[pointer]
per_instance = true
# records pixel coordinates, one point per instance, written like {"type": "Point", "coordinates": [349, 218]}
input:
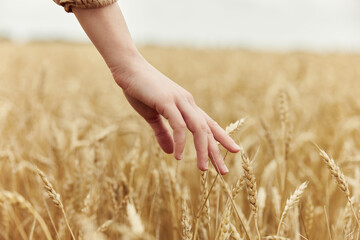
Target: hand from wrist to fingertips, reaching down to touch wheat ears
{"type": "Point", "coordinates": [154, 95]}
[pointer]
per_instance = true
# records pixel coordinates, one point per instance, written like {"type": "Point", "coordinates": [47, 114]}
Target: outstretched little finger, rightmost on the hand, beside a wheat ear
{"type": "Point", "coordinates": [220, 135]}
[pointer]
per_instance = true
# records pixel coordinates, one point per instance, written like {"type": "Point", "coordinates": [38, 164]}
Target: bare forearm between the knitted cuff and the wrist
{"type": "Point", "coordinates": [106, 28]}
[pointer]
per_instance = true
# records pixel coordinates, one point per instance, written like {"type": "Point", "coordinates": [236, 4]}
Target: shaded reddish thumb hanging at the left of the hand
{"type": "Point", "coordinates": [162, 133]}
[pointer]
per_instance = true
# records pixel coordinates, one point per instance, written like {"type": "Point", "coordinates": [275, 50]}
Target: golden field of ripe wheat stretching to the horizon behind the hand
{"type": "Point", "coordinates": [76, 162]}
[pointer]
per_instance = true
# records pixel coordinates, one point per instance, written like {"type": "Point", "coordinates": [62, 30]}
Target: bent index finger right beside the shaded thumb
{"type": "Point", "coordinates": [178, 125]}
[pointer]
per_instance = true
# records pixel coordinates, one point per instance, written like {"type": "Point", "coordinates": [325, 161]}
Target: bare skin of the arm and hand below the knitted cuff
{"type": "Point", "coordinates": [152, 94]}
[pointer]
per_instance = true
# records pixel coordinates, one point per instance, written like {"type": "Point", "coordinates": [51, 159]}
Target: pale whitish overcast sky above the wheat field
{"type": "Point", "coordinates": [317, 25]}
